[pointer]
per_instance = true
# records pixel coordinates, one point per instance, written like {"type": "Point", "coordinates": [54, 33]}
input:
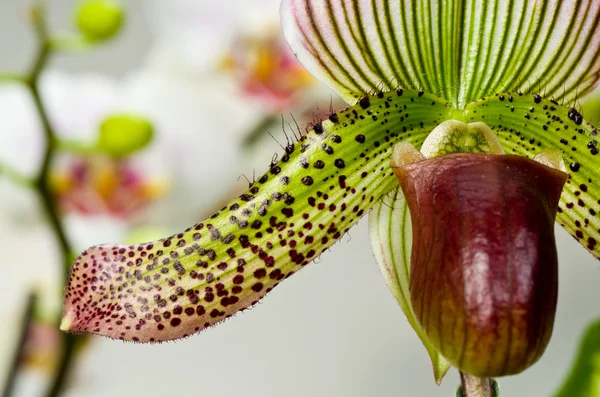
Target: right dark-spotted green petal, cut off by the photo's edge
{"type": "Point", "coordinates": [526, 124]}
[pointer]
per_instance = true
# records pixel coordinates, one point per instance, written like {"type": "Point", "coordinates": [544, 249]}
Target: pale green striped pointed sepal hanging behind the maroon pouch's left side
{"type": "Point", "coordinates": [391, 240]}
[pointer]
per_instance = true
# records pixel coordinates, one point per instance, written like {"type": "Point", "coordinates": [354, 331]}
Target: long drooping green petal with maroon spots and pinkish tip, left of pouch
{"type": "Point", "coordinates": [321, 186]}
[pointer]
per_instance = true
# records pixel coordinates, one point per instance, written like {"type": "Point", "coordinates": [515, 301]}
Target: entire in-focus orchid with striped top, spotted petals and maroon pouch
{"type": "Point", "coordinates": [513, 70]}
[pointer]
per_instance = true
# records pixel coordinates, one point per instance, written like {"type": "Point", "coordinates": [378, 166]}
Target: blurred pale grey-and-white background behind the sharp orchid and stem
{"type": "Point", "coordinates": [208, 81]}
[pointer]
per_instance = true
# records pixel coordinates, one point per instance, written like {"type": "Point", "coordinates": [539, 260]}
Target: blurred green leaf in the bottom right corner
{"type": "Point", "coordinates": [584, 378]}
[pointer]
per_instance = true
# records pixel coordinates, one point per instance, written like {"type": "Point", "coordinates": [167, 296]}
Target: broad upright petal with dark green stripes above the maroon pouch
{"type": "Point", "coordinates": [463, 49]}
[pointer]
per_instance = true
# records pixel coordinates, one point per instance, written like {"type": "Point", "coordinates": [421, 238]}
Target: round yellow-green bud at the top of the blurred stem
{"type": "Point", "coordinates": [99, 20]}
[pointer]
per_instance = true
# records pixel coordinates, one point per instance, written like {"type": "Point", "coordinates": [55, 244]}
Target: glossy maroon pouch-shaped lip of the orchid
{"type": "Point", "coordinates": [484, 265]}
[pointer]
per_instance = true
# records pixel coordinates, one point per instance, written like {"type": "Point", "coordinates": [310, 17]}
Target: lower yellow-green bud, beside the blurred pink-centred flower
{"type": "Point", "coordinates": [121, 135]}
